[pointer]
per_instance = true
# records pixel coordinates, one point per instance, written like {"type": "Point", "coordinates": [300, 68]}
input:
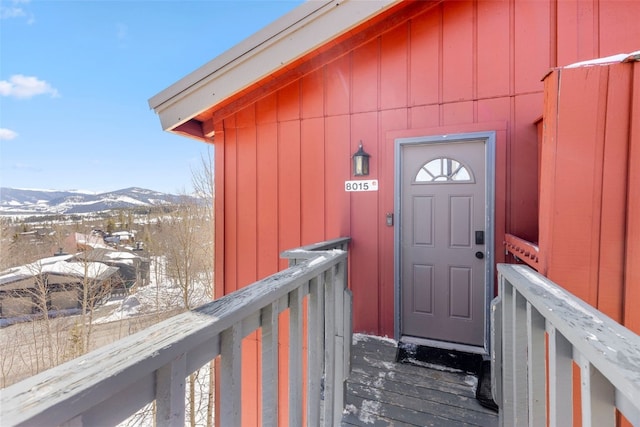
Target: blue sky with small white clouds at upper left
{"type": "Point", "coordinates": [75, 77]}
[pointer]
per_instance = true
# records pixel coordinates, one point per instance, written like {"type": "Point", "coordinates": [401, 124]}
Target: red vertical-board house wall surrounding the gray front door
{"type": "Point", "coordinates": [460, 66]}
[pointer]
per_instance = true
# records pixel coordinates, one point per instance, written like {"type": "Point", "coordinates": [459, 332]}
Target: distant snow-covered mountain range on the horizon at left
{"type": "Point", "coordinates": [15, 201]}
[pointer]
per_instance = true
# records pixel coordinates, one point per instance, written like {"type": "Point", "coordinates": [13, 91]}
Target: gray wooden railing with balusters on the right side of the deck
{"type": "Point", "coordinates": [539, 330]}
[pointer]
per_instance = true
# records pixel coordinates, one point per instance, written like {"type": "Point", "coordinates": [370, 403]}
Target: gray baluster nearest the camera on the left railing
{"type": "Point", "coordinates": [170, 393]}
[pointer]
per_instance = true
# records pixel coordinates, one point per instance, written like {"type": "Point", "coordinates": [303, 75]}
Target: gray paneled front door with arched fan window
{"type": "Point", "coordinates": [443, 213]}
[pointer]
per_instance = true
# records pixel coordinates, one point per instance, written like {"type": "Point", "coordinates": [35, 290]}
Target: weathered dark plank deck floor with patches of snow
{"type": "Point", "coordinates": [381, 392]}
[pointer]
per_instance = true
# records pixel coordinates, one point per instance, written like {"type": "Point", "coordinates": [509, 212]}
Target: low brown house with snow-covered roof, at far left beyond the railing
{"type": "Point", "coordinates": [54, 284]}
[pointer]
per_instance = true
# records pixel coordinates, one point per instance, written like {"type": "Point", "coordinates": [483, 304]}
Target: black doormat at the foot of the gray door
{"type": "Point", "coordinates": [430, 357]}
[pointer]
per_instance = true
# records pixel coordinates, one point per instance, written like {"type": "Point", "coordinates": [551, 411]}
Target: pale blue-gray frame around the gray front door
{"type": "Point", "coordinates": [489, 139]}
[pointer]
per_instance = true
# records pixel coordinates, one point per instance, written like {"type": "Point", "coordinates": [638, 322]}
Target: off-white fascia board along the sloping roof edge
{"type": "Point", "coordinates": [311, 25]}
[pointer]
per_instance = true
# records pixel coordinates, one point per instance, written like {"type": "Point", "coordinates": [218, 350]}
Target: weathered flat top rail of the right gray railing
{"type": "Point", "coordinates": [613, 349]}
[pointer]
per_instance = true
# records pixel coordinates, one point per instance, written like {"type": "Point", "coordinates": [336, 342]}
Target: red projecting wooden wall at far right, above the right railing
{"type": "Point", "coordinates": [589, 218]}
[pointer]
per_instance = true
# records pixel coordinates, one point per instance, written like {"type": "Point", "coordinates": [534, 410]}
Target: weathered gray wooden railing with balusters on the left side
{"type": "Point", "coordinates": [108, 385]}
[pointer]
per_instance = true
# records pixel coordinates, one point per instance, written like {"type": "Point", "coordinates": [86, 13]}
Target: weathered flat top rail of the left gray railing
{"type": "Point", "coordinates": [70, 389]}
